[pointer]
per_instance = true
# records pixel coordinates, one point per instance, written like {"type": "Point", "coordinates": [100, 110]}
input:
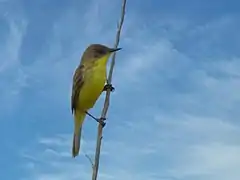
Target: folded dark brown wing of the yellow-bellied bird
{"type": "Point", "coordinates": [78, 80]}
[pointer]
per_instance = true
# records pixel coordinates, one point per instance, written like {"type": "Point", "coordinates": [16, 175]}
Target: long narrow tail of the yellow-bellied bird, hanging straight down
{"type": "Point", "coordinates": [78, 121]}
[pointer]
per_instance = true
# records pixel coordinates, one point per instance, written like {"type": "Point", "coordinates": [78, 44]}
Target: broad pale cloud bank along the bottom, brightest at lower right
{"type": "Point", "coordinates": [142, 145]}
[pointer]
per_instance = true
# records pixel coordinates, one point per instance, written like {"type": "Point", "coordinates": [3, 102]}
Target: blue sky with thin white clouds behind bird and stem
{"type": "Point", "coordinates": [173, 116]}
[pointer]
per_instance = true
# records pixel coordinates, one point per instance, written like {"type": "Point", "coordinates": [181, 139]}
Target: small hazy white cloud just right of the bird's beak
{"type": "Point", "coordinates": [150, 56]}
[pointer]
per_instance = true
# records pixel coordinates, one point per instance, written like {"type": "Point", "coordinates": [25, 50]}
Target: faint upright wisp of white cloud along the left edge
{"type": "Point", "coordinates": [13, 78]}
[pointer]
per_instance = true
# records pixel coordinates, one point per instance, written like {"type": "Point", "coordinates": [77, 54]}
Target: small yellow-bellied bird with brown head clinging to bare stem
{"type": "Point", "coordinates": [88, 83]}
